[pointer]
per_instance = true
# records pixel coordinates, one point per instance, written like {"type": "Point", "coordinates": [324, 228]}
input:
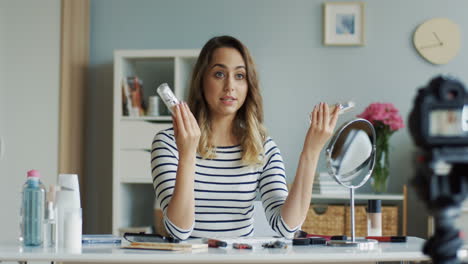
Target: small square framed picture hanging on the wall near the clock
{"type": "Point", "coordinates": [343, 23]}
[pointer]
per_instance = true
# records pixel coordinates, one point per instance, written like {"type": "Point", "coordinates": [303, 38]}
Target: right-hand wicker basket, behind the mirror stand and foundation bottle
{"type": "Point", "coordinates": [389, 221]}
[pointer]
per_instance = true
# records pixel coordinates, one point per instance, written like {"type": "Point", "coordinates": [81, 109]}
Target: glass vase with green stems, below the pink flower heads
{"type": "Point", "coordinates": [379, 179]}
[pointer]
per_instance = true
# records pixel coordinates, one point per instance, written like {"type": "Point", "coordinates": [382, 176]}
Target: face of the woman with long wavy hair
{"type": "Point", "coordinates": [225, 82]}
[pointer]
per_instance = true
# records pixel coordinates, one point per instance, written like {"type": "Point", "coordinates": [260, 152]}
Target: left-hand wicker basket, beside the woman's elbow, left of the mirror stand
{"type": "Point", "coordinates": [325, 220]}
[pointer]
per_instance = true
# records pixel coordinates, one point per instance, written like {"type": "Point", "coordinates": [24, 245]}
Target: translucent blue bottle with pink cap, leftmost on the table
{"type": "Point", "coordinates": [33, 205]}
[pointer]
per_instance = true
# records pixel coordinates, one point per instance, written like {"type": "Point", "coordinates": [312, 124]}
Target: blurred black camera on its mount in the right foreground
{"type": "Point", "coordinates": [438, 124]}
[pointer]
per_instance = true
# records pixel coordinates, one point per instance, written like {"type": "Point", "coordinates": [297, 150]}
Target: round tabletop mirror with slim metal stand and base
{"type": "Point", "coordinates": [350, 161]}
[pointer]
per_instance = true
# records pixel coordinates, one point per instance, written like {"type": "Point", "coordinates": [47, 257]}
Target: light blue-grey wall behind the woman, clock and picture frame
{"type": "Point", "coordinates": [296, 70]}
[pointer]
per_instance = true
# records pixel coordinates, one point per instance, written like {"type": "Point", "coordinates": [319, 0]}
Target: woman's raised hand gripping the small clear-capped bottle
{"type": "Point", "coordinates": [186, 129]}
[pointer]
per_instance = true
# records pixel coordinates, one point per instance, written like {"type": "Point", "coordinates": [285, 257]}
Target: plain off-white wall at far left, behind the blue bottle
{"type": "Point", "coordinates": [29, 99]}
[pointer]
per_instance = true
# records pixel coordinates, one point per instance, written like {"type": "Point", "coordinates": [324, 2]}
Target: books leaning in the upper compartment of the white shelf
{"type": "Point", "coordinates": [132, 97]}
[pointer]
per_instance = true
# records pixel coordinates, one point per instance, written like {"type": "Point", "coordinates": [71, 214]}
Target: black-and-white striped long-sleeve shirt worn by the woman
{"type": "Point", "coordinates": [224, 189]}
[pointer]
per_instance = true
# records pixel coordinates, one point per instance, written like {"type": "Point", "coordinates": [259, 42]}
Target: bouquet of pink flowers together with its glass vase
{"type": "Point", "coordinates": [386, 120]}
